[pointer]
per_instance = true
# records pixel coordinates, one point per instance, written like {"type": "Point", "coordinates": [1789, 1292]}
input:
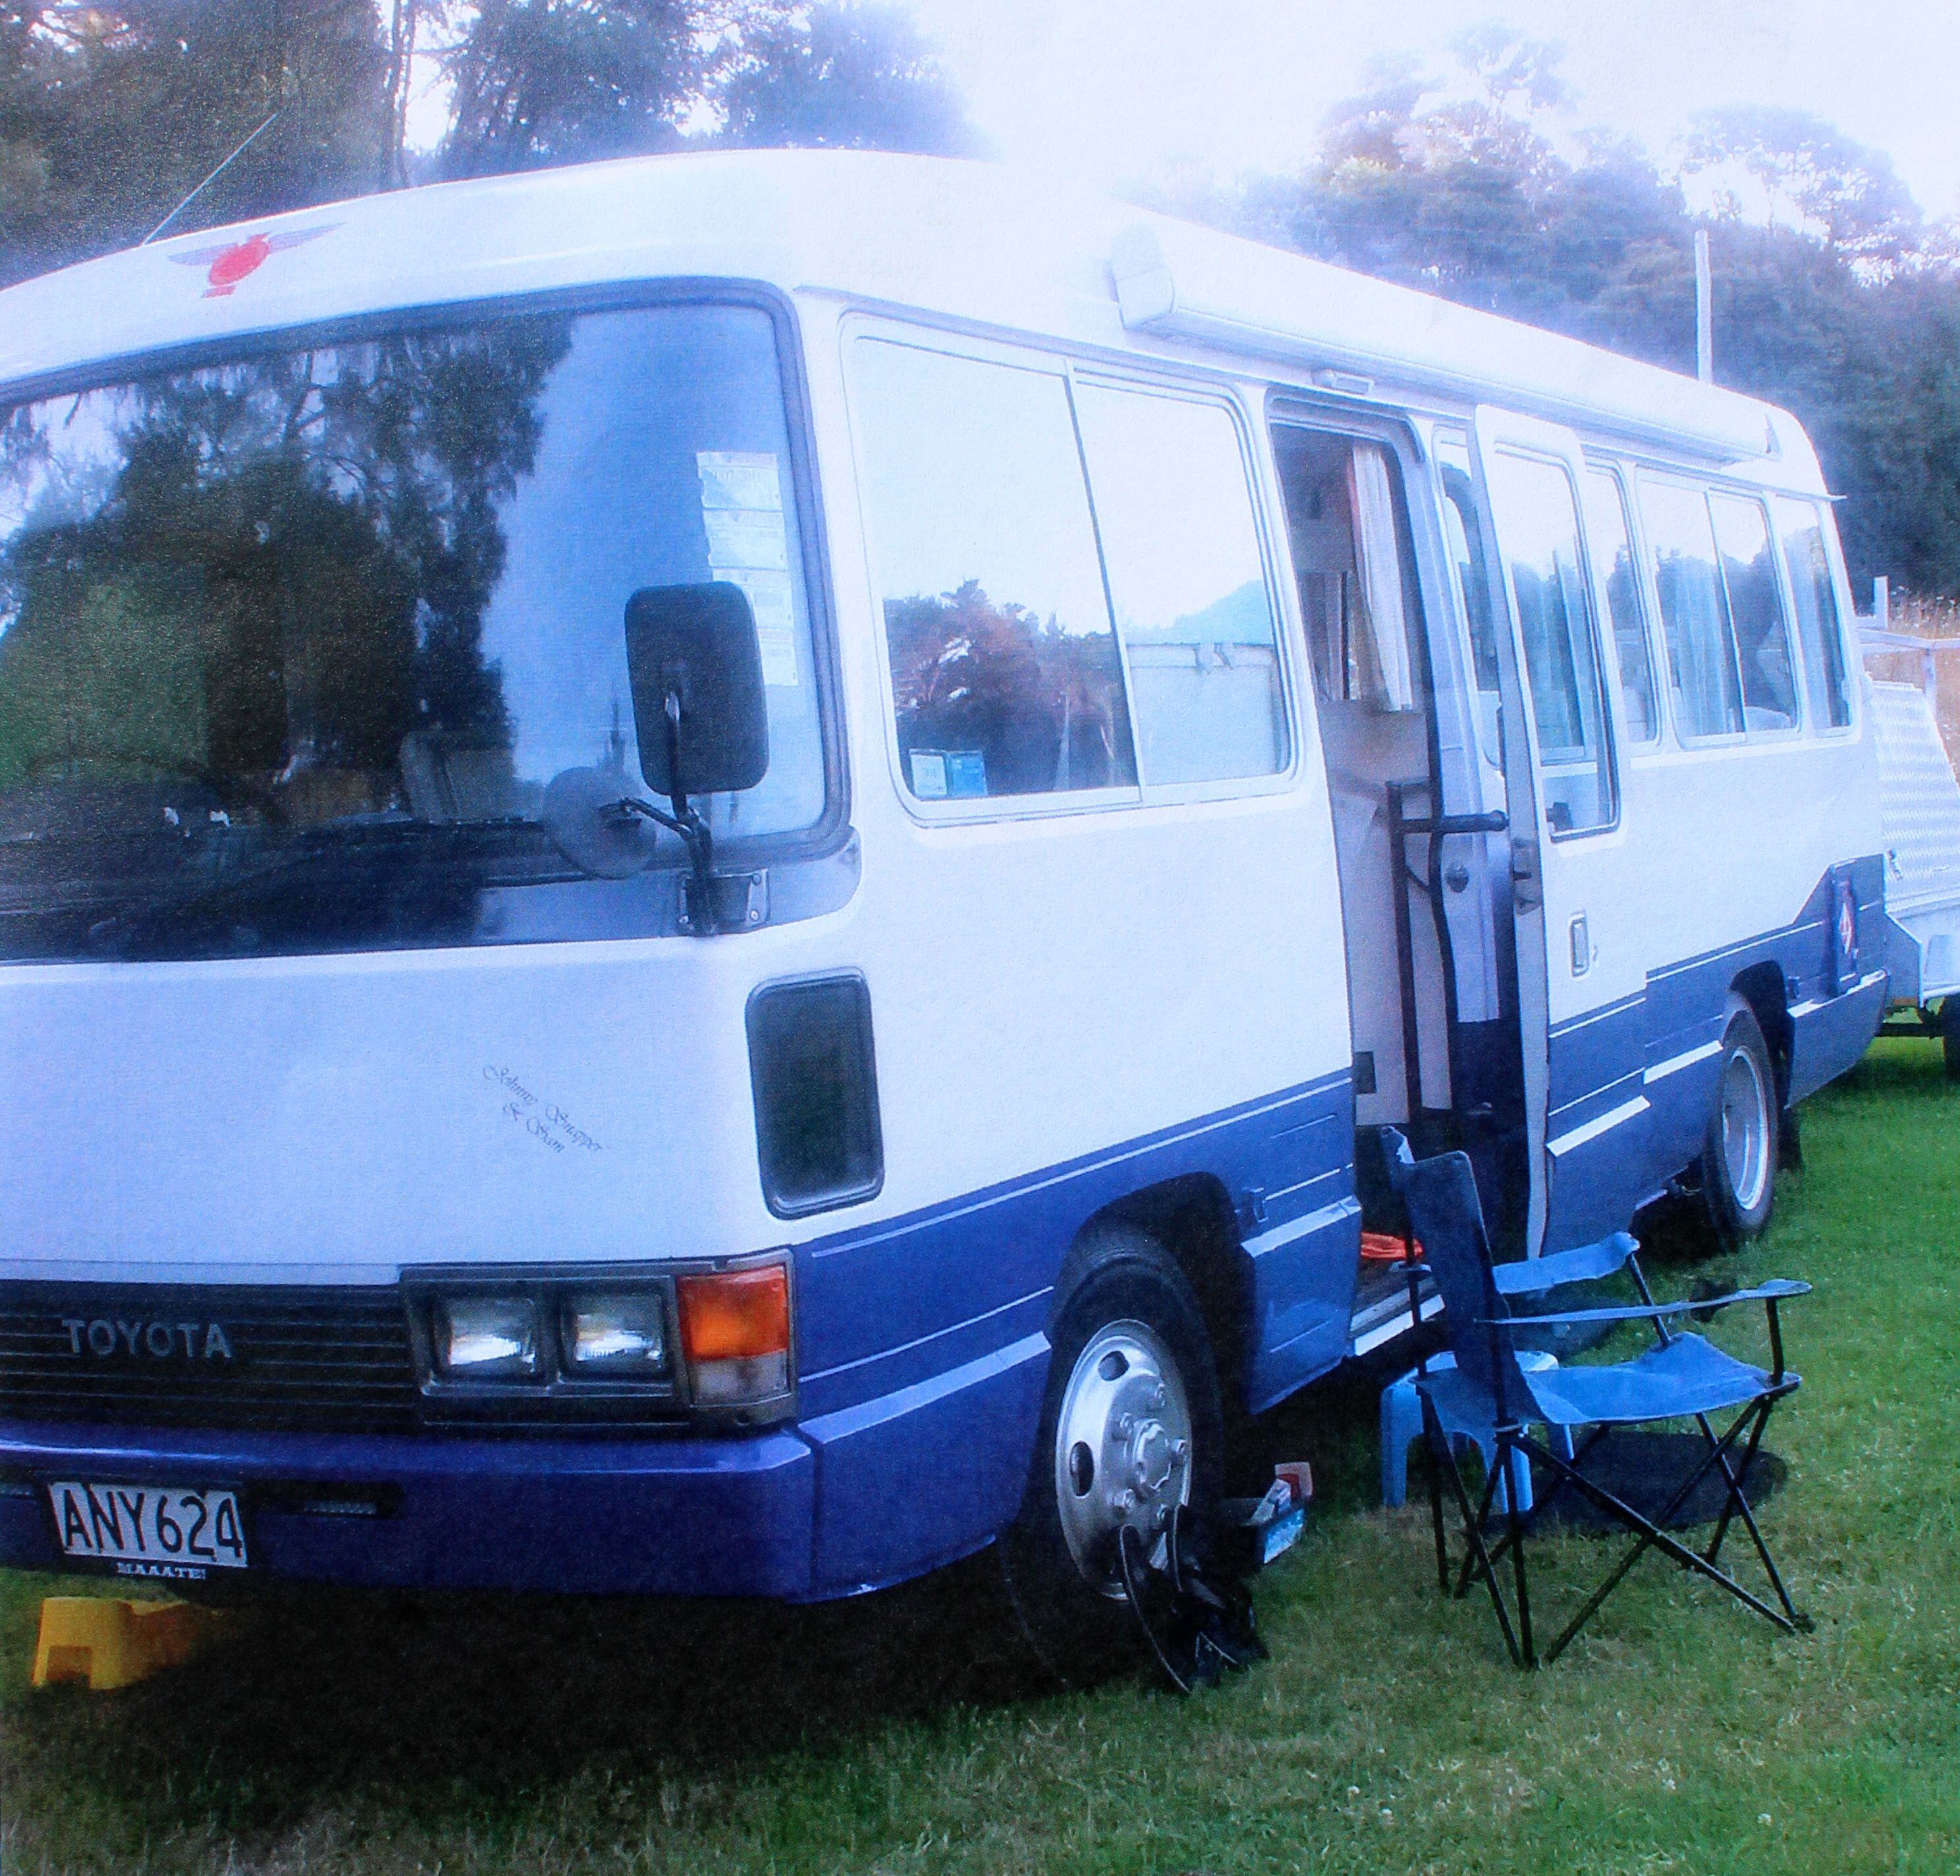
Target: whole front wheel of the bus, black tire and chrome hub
{"type": "Point", "coordinates": [1132, 1428]}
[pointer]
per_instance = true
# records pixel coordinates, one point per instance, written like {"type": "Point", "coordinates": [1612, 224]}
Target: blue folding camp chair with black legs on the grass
{"type": "Point", "coordinates": [1683, 1377]}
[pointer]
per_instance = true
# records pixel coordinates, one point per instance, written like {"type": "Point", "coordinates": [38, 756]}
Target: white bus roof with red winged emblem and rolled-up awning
{"type": "Point", "coordinates": [959, 240]}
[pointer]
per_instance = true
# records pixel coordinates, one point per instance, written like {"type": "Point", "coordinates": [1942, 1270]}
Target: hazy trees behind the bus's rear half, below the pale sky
{"type": "Point", "coordinates": [1849, 315]}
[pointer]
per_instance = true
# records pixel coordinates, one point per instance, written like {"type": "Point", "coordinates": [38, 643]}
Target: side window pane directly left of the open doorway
{"type": "Point", "coordinates": [1187, 583]}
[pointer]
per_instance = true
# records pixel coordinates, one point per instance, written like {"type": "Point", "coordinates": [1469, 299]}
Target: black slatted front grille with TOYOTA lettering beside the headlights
{"type": "Point", "coordinates": [258, 1359]}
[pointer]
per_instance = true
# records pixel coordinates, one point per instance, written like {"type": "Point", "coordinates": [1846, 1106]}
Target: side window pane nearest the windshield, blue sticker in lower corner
{"type": "Point", "coordinates": [1004, 669]}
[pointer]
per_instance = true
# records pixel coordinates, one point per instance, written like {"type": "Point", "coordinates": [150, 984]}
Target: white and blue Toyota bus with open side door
{"type": "Point", "coordinates": [712, 869]}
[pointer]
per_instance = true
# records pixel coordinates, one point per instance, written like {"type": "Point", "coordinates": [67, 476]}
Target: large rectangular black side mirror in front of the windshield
{"type": "Point", "coordinates": [695, 666]}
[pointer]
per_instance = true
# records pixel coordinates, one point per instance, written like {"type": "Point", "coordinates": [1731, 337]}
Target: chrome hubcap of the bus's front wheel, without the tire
{"type": "Point", "coordinates": [1122, 1448]}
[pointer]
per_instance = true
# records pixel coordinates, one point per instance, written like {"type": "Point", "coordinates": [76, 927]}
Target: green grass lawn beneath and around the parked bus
{"type": "Point", "coordinates": [1387, 1734]}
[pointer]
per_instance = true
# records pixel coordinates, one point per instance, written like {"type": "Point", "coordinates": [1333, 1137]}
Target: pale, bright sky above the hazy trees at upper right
{"type": "Point", "coordinates": [1112, 91]}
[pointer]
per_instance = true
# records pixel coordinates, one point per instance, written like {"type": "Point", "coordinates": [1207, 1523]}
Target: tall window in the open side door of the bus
{"type": "Point", "coordinates": [1540, 536]}
